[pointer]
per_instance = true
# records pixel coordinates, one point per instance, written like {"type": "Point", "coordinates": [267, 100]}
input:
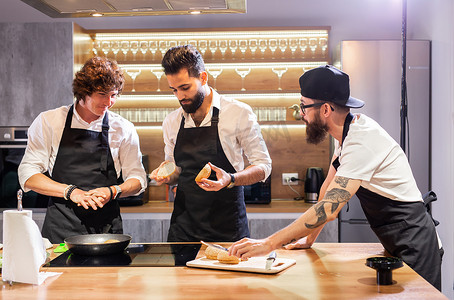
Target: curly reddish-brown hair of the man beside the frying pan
{"type": "Point", "coordinates": [99, 74]}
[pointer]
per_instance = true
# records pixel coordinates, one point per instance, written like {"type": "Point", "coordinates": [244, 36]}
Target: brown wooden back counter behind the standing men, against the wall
{"type": "Point", "coordinates": [276, 206]}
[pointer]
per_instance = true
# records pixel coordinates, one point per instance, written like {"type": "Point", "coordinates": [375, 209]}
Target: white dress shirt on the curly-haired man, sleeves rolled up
{"type": "Point", "coordinates": [44, 137]}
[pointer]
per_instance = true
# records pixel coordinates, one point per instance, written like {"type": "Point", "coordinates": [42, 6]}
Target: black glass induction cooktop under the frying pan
{"type": "Point", "coordinates": [135, 255]}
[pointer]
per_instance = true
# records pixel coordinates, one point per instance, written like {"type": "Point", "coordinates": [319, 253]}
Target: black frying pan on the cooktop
{"type": "Point", "coordinates": [94, 244]}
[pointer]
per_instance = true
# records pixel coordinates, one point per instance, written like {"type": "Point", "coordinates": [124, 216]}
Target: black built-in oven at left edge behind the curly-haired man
{"type": "Point", "coordinates": [13, 141]}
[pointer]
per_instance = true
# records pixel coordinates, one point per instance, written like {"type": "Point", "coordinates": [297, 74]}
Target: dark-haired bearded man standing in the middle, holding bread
{"type": "Point", "coordinates": [209, 128]}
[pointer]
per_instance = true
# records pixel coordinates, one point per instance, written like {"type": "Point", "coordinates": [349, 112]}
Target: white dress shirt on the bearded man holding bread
{"type": "Point", "coordinates": [238, 129]}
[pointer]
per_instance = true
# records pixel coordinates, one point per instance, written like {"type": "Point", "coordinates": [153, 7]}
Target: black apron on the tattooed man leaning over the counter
{"type": "Point", "coordinates": [405, 229]}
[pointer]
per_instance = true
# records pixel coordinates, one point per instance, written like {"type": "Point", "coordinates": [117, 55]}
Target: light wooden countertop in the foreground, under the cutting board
{"type": "Point", "coordinates": [326, 271]}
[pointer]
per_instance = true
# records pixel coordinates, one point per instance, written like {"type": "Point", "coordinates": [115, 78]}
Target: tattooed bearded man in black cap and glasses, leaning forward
{"type": "Point", "coordinates": [366, 162]}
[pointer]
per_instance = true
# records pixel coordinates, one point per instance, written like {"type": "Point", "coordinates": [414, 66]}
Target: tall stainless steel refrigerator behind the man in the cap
{"type": "Point", "coordinates": [375, 74]}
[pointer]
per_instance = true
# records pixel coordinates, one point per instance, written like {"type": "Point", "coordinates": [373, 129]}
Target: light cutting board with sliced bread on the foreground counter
{"type": "Point", "coordinates": [253, 264]}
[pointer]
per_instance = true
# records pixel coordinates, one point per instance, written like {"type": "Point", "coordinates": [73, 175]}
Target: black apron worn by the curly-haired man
{"type": "Point", "coordinates": [83, 159]}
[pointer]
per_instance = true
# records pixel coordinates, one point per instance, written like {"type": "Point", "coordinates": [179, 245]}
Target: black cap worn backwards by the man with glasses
{"type": "Point", "coordinates": [328, 84]}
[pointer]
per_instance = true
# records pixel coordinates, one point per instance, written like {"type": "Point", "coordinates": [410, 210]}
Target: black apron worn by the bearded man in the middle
{"type": "Point", "coordinates": [198, 214]}
